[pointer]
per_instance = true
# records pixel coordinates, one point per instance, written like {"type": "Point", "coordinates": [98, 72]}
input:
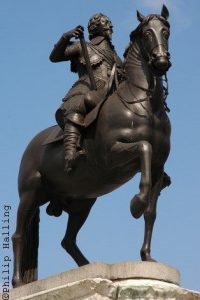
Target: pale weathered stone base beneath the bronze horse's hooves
{"type": "Point", "coordinates": [98, 281]}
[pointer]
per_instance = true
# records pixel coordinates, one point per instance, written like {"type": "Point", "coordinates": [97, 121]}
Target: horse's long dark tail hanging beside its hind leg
{"type": "Point", "coordinates": [30, 251]}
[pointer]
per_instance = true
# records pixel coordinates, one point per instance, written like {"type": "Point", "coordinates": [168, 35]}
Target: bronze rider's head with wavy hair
{"type": "Point", "coordinates": [100, 24]}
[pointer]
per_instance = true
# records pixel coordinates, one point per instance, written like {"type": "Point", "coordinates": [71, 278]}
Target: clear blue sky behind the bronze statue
{"type": "Point", "coordinates": [31, 90]}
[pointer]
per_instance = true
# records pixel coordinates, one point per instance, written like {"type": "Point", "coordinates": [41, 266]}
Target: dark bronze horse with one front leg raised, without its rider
{"type": "Point", "coordinates": [130, 135]}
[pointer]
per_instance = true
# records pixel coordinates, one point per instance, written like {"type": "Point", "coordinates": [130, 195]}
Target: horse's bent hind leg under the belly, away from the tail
{"type": "Point", "coordinates": [75, 222]}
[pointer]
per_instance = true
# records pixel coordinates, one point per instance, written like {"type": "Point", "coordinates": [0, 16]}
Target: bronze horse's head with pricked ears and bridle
{"type": "Point", "coordinates": [153, 33]}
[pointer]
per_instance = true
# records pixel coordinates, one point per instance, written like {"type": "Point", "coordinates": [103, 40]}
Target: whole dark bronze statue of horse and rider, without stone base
{"type": "Point", "coordinates": [113, 123]}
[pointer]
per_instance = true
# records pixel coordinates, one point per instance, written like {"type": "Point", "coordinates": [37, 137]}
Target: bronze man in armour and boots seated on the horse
{"type": "Point", "coordinates": [80, 99]}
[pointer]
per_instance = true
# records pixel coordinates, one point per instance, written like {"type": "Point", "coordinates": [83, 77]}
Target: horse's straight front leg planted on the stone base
{"type": "Point", "coordinates": [159, 182]}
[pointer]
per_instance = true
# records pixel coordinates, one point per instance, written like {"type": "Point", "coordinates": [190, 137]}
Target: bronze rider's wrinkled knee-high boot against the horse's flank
{"type": "Point", "coordinates": [71, 138]}
